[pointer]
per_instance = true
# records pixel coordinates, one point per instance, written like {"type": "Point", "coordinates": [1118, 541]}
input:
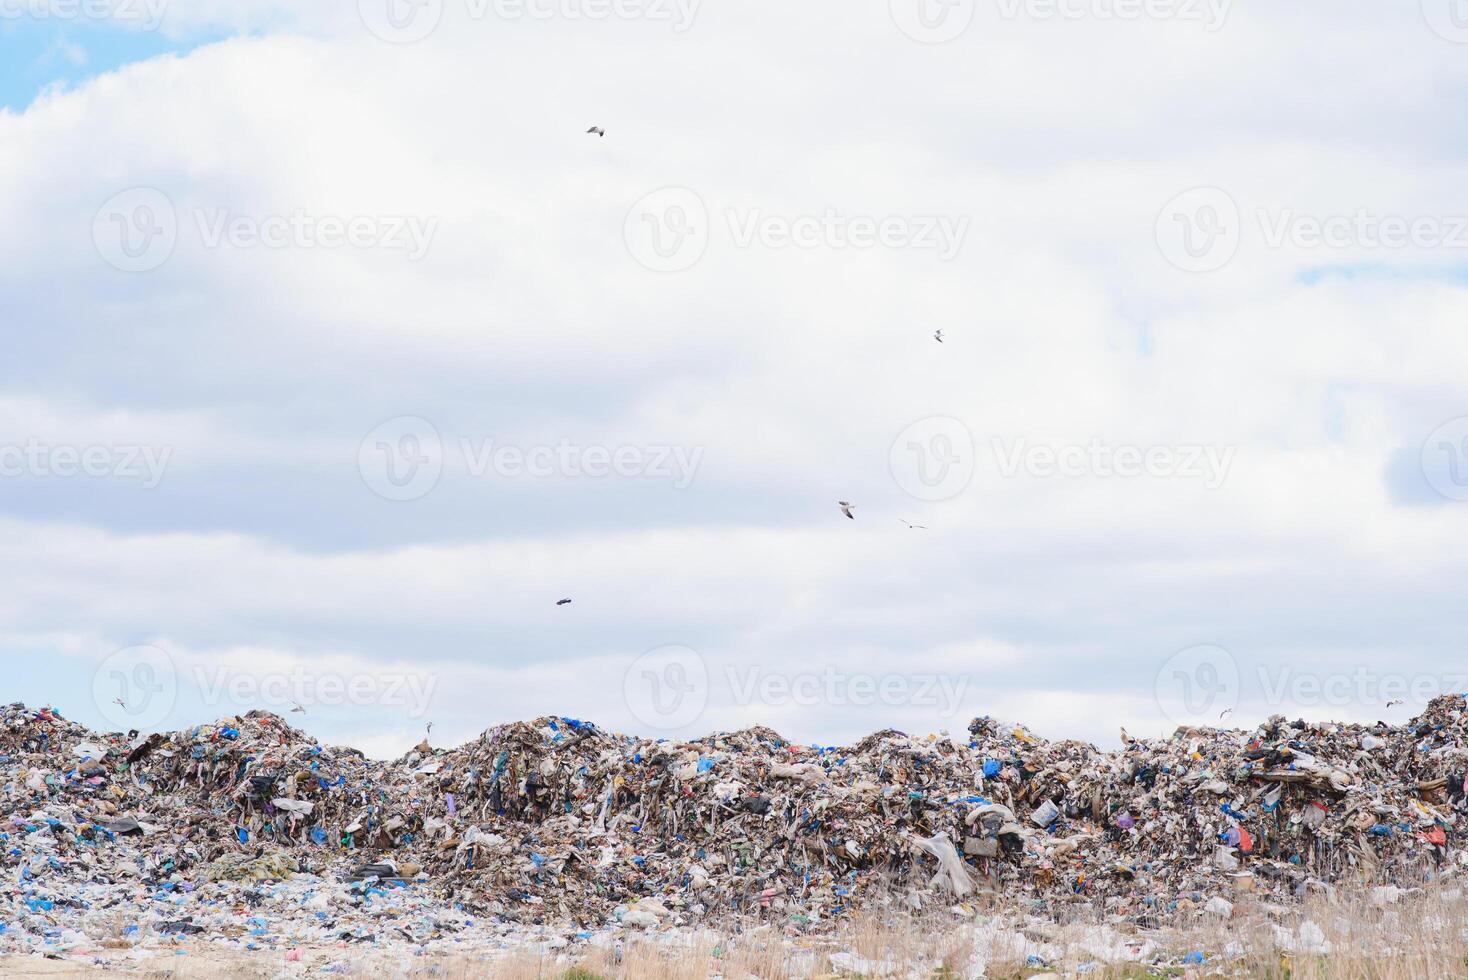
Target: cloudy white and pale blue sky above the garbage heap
{"type": "Point", "coordinates": [337, 351]}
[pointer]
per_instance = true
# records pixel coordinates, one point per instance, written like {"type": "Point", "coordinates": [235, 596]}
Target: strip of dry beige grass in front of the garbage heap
{"type": "Point", "coordinates": [1423, 937]}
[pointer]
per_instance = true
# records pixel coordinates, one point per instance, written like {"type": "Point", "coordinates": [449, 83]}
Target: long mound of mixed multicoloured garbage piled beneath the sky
{"type": "Point", "coordinates": [560, 822]}
